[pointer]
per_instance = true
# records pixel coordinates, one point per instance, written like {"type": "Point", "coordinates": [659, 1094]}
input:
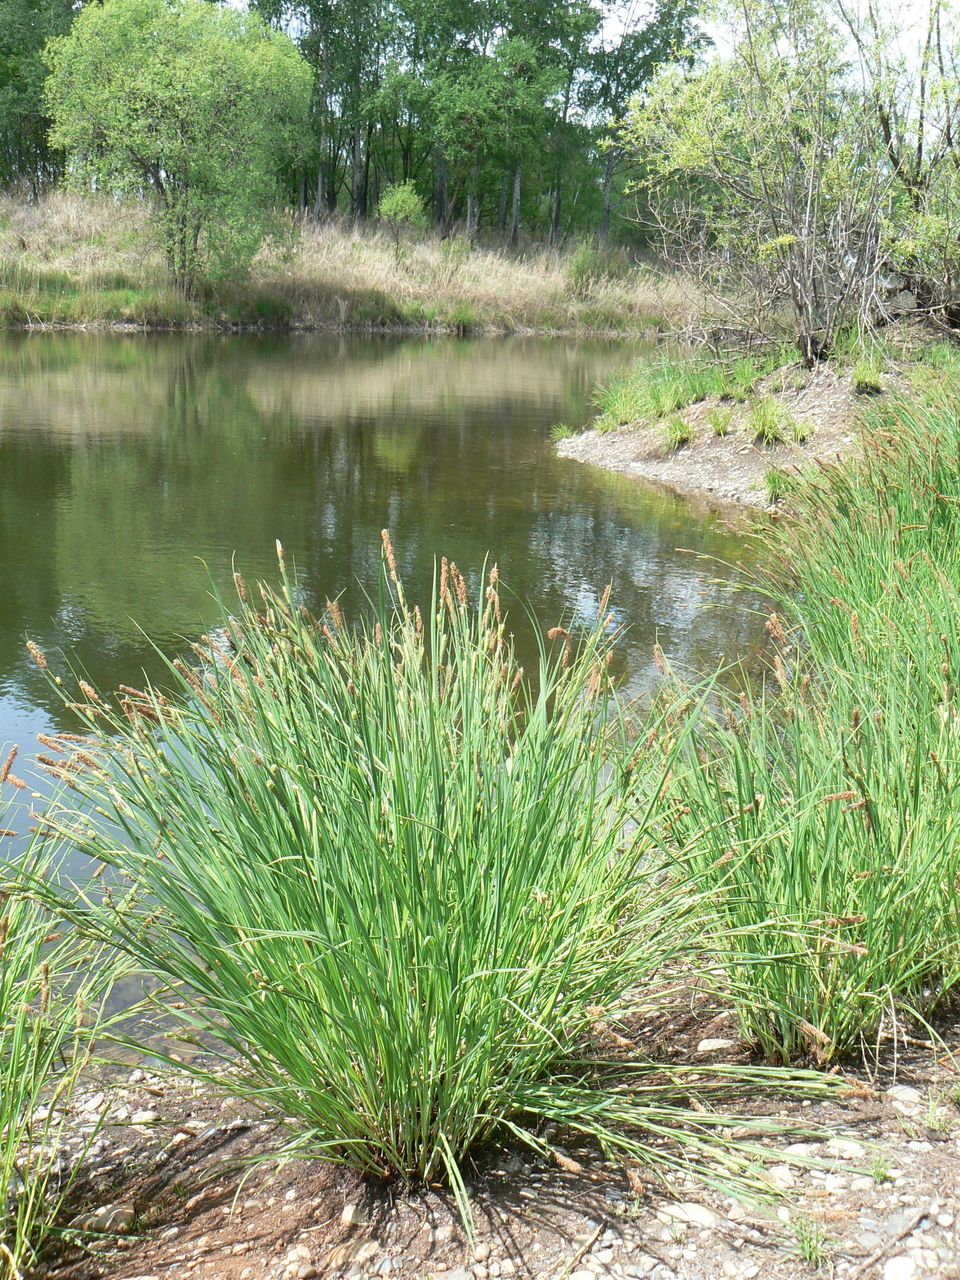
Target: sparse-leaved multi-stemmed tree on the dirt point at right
{"type": "Point", "coordinates": [765, 176]}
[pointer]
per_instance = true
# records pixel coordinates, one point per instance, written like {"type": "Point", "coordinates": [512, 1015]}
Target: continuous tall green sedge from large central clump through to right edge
{"type": "Point", "coordinates": [353, 865]}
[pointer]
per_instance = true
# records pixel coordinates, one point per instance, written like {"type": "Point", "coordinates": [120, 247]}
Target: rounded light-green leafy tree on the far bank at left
{"type": "Point", "coordinates": [195, 106]}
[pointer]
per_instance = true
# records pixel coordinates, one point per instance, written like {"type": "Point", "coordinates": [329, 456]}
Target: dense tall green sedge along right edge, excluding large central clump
{"type": "Point", "coordinates": [820, 816]}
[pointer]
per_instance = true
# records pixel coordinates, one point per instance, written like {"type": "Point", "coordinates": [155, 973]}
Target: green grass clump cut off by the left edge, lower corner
{"type": "Point", "coordinates": [51, 989]}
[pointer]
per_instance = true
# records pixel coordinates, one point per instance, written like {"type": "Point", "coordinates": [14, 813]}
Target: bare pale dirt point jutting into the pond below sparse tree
{"type": "Point", "coordinates": [733, 469]}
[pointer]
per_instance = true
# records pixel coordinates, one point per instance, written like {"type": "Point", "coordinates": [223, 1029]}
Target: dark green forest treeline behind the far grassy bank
{"type": "Point", "coordinates": [501, 113]}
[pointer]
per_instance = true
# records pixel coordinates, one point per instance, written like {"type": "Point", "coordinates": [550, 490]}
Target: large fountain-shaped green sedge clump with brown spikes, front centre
{"type": "Point", "coordinates": [355, 857]}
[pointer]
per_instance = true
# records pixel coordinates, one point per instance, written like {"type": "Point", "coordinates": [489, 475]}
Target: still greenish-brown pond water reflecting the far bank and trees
{"type": "Point", "coordinates": [134, 472]}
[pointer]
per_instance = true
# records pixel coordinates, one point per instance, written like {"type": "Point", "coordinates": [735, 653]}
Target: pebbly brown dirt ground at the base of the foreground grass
{"type": "Point", "coordinates": [872, 1194]}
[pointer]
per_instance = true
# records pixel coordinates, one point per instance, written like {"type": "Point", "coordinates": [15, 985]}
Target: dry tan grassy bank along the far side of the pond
{"type": "Point", "coordinates": [84, 262]}
